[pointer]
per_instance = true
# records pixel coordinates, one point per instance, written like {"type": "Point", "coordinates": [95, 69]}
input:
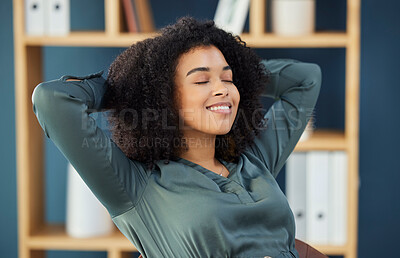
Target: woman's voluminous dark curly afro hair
{"type": "Point", "coordinates": [141, 92]}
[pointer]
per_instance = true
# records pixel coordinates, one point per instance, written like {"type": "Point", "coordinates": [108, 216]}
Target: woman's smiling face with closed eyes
{"type": "Point", "coordinates": [207, 98]}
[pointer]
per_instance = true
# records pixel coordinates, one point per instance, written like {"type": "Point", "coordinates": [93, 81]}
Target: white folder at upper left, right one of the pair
{"type": "Point", "coordinates": [58, 18]}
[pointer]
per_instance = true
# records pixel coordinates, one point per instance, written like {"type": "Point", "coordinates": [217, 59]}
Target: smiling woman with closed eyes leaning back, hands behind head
{"type": "Point", "coordinates": [190, 170]}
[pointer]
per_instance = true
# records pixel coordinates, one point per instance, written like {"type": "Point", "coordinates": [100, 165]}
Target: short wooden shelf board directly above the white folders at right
{"type": "Point", "coordinates": [323, 140]}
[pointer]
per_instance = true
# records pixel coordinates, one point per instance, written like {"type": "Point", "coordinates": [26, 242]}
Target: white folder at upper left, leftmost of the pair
{"type": "Point", "coordinates": [34, 17]}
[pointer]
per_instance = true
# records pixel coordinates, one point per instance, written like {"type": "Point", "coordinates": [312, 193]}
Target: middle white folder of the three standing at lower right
{"type": "Point", "coordinates": [317, 197]}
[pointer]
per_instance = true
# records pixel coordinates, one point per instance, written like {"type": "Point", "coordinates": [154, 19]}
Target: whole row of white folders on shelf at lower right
{"type": "Point", "coordinates": [316, 188]}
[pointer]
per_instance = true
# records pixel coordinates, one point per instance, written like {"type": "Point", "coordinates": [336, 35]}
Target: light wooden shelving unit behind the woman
{"type": "Point", "coordinates": [36, 235]}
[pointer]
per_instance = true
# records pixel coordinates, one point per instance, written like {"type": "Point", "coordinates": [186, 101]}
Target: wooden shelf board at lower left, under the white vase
{"type": "Point", "coordinates": [55, 237]}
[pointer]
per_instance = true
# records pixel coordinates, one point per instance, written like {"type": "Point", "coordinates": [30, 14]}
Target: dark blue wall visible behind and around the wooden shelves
{"type": "Point", "coordinates": [379, 208]}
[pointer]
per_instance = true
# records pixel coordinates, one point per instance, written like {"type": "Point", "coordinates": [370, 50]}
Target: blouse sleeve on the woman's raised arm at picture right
{"type": "Point", "coordinates": [295, 87]}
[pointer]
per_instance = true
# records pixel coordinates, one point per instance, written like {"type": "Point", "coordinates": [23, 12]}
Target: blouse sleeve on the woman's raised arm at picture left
{"type": "Point", "coordinates": [62, 108]}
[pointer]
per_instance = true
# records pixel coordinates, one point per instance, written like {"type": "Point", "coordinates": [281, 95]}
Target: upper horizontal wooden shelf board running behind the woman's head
{"type": "Point", "coordinates": [102, 39]}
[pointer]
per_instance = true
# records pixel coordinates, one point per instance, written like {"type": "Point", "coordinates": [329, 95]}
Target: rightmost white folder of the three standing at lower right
{"type": "Point", "coordinates": [338, 198]}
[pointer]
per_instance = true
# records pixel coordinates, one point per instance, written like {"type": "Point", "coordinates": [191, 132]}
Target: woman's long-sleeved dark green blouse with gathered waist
{"type": "Point", "coordinates": [179, 208]}
